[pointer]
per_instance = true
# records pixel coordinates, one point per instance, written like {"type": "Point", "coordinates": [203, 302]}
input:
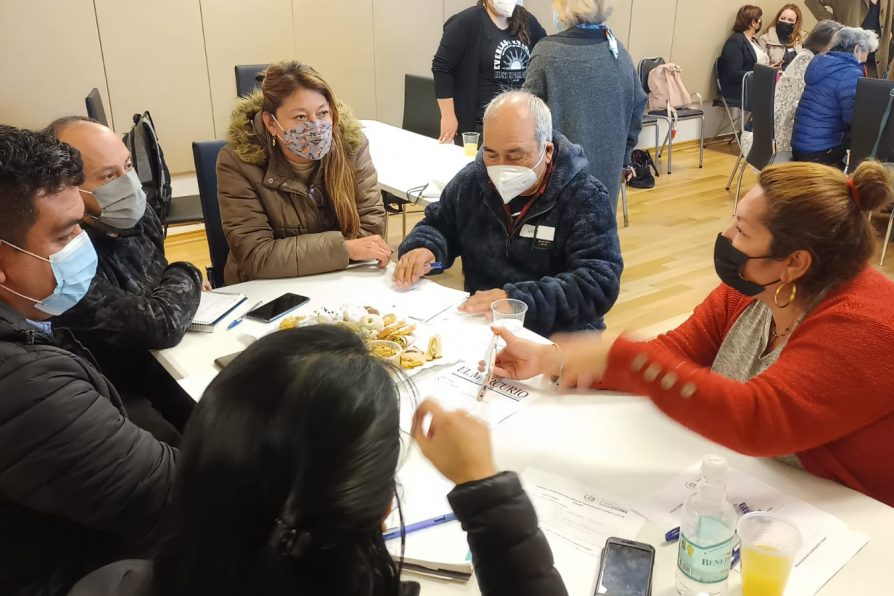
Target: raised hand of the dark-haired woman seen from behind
{"type": "Point", "coordinates": [457, 444]}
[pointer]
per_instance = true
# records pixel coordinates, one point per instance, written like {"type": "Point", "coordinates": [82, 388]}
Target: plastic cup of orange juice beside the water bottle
{"type": "Point", "coordinates": [769, 545]}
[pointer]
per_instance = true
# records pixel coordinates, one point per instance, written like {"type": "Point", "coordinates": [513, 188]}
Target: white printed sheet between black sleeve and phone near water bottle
{"type": "Point", "coordinates": [577, 520]}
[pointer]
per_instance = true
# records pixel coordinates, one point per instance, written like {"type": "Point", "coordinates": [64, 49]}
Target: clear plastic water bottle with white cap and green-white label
{"type": "Point", "coordinates": [707, 530]}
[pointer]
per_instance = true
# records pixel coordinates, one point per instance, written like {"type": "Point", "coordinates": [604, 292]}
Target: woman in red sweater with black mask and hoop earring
{"type": "Point", "coordinates": [792, 356]}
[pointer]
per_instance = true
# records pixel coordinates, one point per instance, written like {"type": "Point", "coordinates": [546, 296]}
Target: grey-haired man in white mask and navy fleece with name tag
{"type": "Point", "coordinates": [528, 222]}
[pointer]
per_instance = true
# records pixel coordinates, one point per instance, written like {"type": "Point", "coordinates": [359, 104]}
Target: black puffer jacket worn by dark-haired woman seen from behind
{"type": "Point", "coordinates": [511, 555]}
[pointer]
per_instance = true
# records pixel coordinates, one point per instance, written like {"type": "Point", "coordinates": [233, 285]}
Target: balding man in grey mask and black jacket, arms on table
{"type": "Point", "coordinates": [137, 302]}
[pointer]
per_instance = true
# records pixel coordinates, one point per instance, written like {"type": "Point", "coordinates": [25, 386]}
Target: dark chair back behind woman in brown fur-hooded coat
{"type": "Point", "coordinates": [205, 155]}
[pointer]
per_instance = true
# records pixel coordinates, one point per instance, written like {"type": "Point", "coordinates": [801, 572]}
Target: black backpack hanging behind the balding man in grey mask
{"type": "Point", "coordinates": [149, 162]}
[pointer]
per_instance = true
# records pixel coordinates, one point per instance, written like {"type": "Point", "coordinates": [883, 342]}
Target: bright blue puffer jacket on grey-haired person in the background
{"type": "Point", "coordinates": [823, 118]}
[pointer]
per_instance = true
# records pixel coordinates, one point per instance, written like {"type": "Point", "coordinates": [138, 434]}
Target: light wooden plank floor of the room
{"type": "Point", "coordinates": [668, 248]}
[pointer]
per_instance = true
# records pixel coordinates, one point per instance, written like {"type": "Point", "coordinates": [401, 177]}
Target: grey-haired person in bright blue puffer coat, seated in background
{"type": "Point", "coordinates": [823, 120]}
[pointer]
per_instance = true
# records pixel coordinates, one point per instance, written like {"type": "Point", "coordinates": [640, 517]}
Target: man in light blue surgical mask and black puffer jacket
{"type": "Point", "coordinates": [80, 485]}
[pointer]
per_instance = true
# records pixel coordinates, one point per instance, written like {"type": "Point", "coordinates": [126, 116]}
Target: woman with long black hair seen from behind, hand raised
{"type": "Point", "coordinates": [287, 470]}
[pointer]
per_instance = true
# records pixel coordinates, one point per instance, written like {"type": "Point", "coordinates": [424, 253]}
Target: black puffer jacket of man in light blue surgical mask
{"type": "Point", "coordinates": [80, 485]}
